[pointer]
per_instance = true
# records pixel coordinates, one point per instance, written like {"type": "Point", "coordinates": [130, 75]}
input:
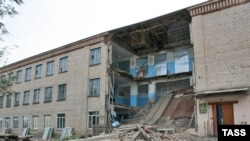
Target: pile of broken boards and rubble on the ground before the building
{"type": "Point", "coordinates": [149, 133]}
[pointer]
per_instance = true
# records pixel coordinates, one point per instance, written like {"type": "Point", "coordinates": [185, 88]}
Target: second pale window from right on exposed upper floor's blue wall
{"type": "Point", "coordinates": [160, 67]}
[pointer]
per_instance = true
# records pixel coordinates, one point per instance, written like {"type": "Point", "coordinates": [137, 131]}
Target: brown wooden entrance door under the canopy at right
{"type": "Point", "coordinates": [222, 115]}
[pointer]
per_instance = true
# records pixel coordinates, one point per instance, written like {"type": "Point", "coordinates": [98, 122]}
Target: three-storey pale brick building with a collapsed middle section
{"type": "Point", "coordinates": [109, 77]}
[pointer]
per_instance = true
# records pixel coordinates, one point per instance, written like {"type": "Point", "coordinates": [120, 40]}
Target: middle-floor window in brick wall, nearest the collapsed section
{"type": "Point", "coordinates": [94, 87]}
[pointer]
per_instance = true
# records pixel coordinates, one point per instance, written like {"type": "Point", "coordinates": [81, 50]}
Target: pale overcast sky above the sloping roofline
{"type": "Point", "coordinates": [43, 25]}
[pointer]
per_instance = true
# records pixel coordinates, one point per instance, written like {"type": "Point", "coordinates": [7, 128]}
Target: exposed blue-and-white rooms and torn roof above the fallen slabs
{"type": "Point", "coordinates": [150, 59]}
